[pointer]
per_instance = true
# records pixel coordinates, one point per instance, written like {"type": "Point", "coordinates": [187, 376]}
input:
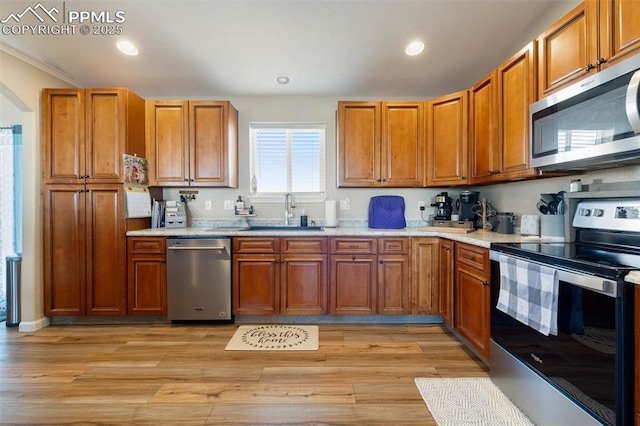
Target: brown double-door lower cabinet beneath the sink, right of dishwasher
{"type": "Point", "coordinates": [273, 275]}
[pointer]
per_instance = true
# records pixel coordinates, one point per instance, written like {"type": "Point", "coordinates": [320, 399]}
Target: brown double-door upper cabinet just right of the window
{"type": "Point", "coordinates": [380, 144]}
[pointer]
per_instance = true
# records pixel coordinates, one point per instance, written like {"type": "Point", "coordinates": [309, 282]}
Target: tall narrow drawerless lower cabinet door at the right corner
{"type": "Point", "coordinates": [424, 291]}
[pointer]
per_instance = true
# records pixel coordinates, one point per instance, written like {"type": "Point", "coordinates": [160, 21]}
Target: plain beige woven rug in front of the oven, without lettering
{"type": "Point", "coordinates": [469, 401]}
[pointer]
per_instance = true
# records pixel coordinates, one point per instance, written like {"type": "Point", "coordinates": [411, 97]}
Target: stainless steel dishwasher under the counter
{"type": "Point", "coordinates": [199, 278]}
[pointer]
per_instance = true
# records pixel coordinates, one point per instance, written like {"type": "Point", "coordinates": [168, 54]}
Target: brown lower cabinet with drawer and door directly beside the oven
{"type": "Point", "coordinates": [472, 295]}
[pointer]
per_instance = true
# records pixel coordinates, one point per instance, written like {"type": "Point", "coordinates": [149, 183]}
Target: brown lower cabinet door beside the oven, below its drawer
{"type": "Point", "coordinates": [472, 308]}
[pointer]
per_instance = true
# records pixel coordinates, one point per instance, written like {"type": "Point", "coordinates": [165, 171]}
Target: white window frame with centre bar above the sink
{"type": "Point", "coordinates": [277, 197]}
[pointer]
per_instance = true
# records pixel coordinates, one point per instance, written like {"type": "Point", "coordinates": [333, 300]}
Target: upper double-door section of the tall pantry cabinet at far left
{"type": "Point", "coordinates": [86, 131]}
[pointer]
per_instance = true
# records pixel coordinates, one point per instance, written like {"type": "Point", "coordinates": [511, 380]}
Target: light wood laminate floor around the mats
{"type": "Point", "coordinates": [181, 375]}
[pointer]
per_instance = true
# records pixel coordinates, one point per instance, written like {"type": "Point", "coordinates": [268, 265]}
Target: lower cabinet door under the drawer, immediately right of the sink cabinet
{"type": "Point", "coordinates": [353, 284]}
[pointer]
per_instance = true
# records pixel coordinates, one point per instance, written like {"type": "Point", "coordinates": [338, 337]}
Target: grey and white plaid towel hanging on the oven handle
{"type": "Point", "coordinates": [529, 293]}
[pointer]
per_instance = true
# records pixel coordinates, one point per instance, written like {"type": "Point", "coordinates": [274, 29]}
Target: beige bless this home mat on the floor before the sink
{"type": "Point", "coordinates": [274, 338]}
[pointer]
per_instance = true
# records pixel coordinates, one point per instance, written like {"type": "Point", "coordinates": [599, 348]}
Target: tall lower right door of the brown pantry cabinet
{"type": "Point", "coordinates": [106, 251]}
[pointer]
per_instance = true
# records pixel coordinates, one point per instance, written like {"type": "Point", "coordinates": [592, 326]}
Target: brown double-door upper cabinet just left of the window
{"type": "Point", "coordinates": [192, 143]}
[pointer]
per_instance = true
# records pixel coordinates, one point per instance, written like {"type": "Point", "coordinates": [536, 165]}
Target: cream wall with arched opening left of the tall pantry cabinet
{"type": "Point", "coordinates": [22, 84]}
